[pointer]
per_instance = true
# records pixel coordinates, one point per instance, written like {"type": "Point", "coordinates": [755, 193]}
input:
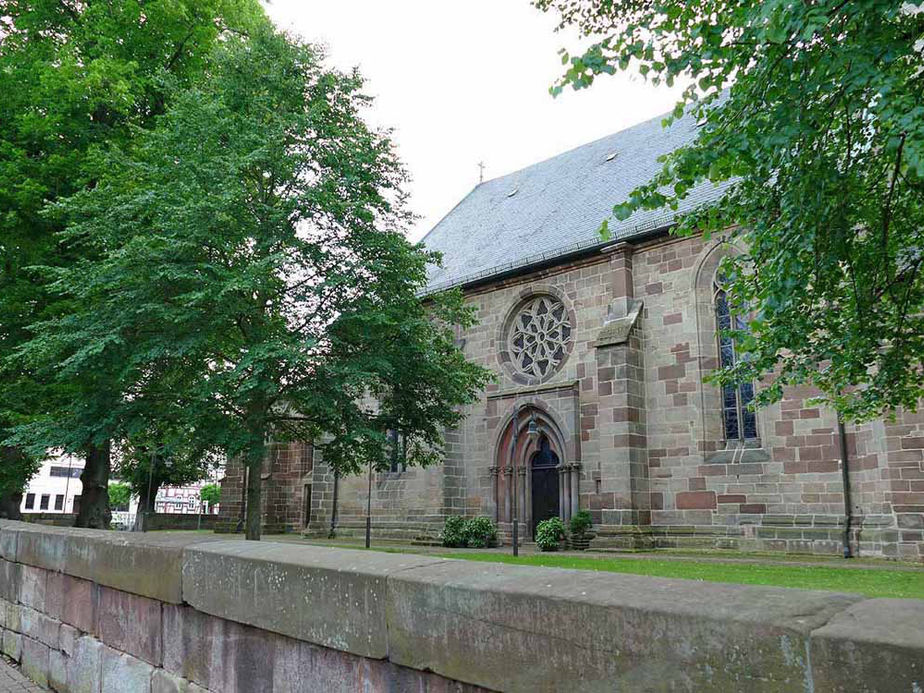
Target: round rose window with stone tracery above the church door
{"type": "Point", "coordinates": [539, 337]}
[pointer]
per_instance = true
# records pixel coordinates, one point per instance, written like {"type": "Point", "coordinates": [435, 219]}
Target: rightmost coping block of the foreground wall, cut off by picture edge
{"type": "Point", "coordinates": [871, 643]}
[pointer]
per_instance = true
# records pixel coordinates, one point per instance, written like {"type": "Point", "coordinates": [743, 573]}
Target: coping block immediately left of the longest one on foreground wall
{"type": "Point", "coordinates": [331, 597]}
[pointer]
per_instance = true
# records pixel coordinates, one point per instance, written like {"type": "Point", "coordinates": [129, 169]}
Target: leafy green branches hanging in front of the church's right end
{"type": "Point", "coordinates": [814, 112]}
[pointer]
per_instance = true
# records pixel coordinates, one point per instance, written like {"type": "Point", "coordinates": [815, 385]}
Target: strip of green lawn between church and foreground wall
{"type": "Point", "coordinates": [872, 582]}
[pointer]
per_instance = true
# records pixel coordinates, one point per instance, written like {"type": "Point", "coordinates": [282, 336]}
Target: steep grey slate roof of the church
{"type": "Point", "coordinates": [555, 207]}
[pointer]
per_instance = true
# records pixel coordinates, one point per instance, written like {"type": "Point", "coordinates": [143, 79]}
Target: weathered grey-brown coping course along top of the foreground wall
{"type": "Point", "coordinates": [507, 627]}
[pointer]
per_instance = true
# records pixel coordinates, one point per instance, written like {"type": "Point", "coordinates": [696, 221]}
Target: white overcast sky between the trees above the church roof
{"type": "Point", "coordinates": [463, 81]}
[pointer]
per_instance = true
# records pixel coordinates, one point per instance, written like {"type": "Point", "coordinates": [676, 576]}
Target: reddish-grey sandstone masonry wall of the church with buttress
{"type": "Point", "coordinates": [641, 433]}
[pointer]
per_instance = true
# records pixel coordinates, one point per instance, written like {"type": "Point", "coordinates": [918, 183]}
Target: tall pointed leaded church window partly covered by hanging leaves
{"type": "Point", "coordinates": [739, 421]}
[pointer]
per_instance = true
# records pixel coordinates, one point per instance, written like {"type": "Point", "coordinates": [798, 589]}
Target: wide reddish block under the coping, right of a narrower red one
{"type": "Point", "coordinates": [130, 623]}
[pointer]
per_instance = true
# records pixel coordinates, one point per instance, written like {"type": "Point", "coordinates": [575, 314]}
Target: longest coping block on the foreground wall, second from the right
{"type": "Point", "coordinates": [525, 628]}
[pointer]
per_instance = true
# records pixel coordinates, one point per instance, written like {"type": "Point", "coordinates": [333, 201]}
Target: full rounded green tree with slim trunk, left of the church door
{"type": "Point", "coordinates": [244, 269]}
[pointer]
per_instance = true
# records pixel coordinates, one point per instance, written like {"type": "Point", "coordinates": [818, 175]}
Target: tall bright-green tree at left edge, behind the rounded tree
{"type": "Point", "coordinates": [77, 77]}
